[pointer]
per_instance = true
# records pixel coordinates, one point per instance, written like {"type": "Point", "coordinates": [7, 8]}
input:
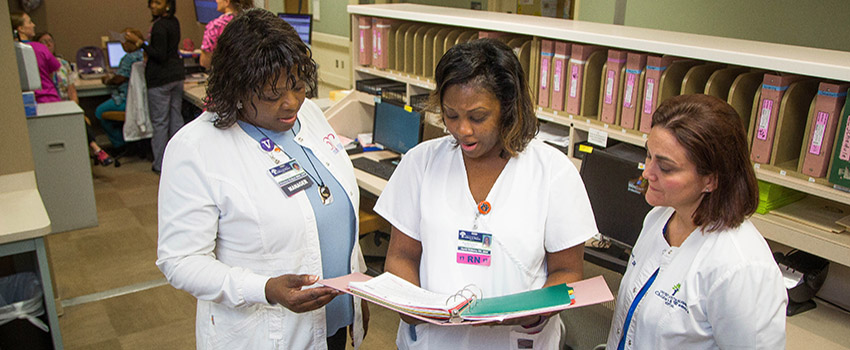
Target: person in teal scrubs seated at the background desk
{"type": "Point", "coordinates": [118, 83]}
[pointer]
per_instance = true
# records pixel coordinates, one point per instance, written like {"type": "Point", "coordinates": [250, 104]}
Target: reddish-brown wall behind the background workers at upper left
{"type": "Point", "coordinates": [79, 23]}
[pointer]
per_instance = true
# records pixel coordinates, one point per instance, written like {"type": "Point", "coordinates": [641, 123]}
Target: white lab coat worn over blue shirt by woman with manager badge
{"type": "Point", "coordinates": [225, 228]}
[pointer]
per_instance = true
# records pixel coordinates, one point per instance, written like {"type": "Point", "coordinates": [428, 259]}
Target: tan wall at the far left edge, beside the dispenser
{"type": "Point", "coordinates": [15, 152]}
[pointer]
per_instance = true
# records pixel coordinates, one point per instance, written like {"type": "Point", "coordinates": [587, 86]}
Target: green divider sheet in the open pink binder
{"type": "Point", "coordinates": [521, 302]}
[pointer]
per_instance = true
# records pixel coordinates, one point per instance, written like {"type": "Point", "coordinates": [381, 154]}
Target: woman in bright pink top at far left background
{"type": "Point", "coordinates": [24, 30]}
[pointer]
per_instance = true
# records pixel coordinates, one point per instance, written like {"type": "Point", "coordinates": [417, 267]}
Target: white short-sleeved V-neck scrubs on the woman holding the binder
{"type": "Point", "coordinates": [539, 204]}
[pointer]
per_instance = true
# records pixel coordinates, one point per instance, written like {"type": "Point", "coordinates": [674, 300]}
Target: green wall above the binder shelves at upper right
{"type": "Point", "coordinates": [821, 23]}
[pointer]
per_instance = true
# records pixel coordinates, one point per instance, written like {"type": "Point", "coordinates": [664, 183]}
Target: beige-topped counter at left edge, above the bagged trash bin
{"type": "Point", "coordinates": [23, 225]}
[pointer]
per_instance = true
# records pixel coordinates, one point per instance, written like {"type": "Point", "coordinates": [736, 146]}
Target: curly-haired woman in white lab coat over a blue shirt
{"type": "Point", "coordinates": [258, 200]}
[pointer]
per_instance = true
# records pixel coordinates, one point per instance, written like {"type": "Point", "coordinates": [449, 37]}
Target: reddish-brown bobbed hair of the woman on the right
{"type": "Point", "coordinates": [715, 140]}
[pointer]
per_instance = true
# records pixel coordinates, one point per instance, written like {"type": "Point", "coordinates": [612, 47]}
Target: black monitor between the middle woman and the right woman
{"type": "Point", "coordinates": [618, 205]}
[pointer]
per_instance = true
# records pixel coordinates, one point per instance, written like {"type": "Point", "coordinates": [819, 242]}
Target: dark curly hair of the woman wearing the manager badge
{"type": "Point", "coordinates": [252, 52]}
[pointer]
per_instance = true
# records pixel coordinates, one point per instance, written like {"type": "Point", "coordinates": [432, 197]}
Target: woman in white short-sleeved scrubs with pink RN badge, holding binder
{"type": "Point", "coordinates": [486, 205]}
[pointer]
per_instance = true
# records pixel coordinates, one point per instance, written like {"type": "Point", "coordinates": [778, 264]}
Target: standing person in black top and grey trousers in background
{"type": "Point", "coordinates": [163, 74]}
